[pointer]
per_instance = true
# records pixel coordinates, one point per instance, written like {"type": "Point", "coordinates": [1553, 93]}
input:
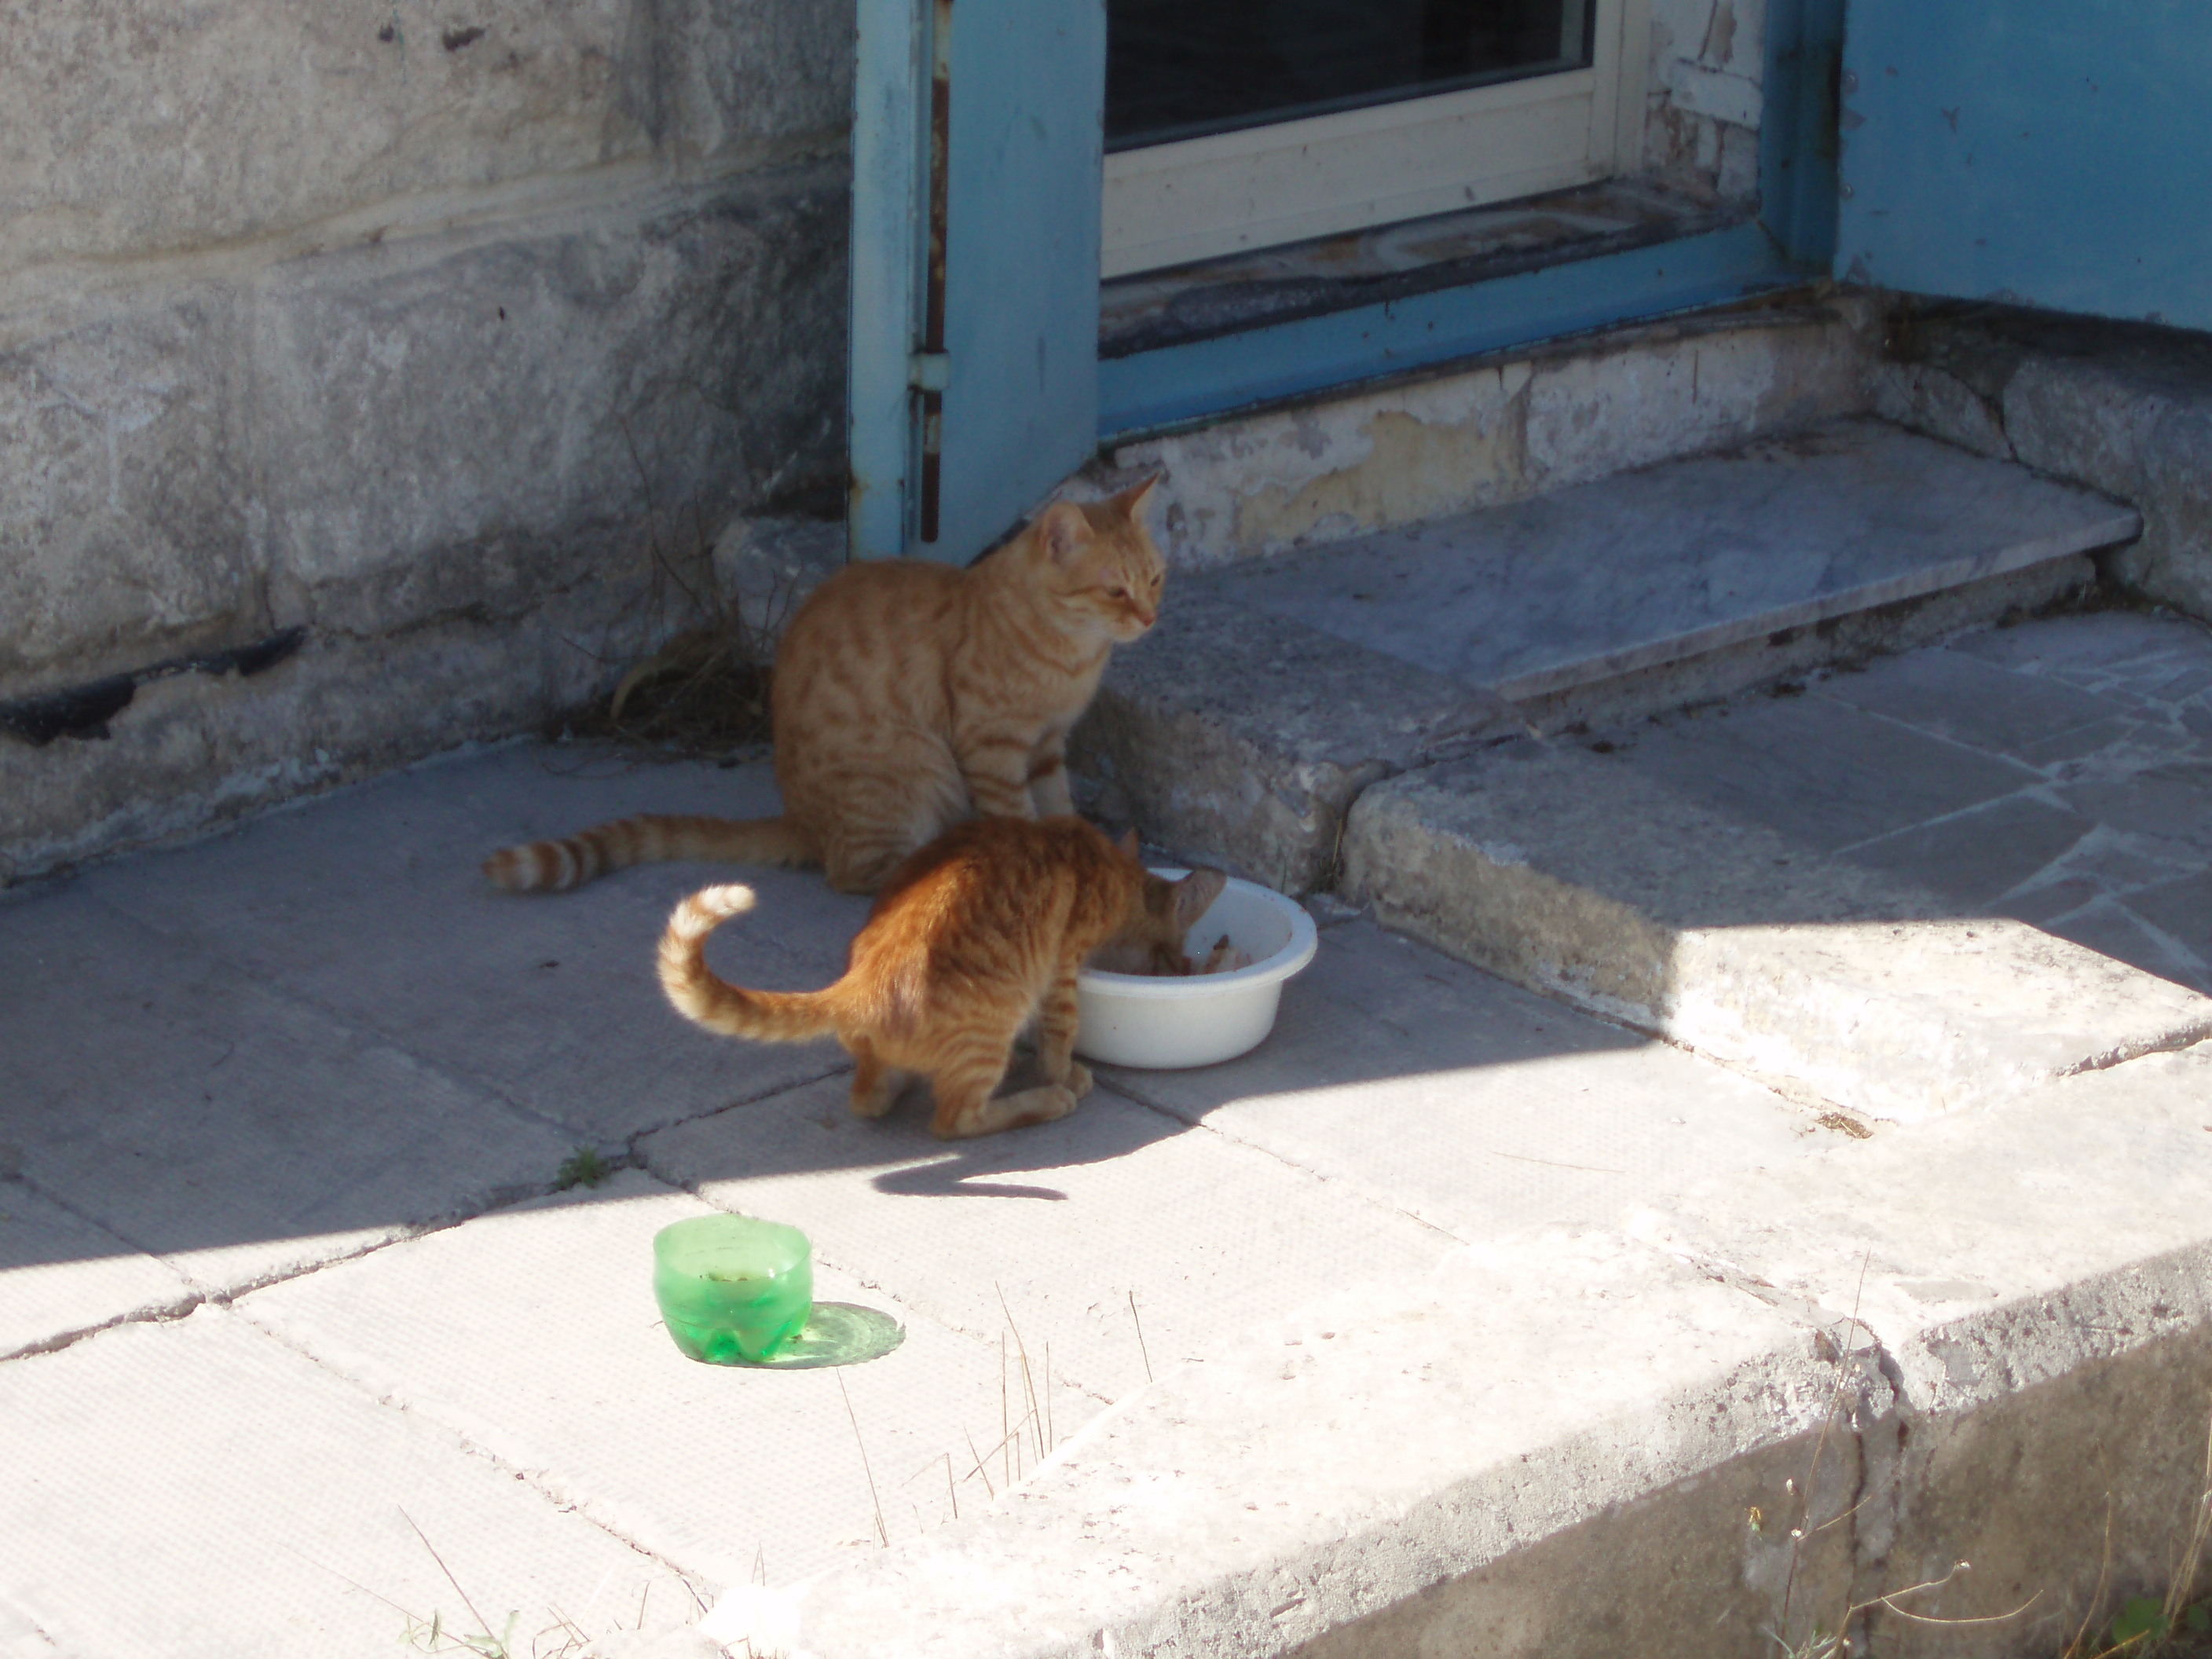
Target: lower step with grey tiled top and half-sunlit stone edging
{"type": "Point", "coordinates": [1910, 890]}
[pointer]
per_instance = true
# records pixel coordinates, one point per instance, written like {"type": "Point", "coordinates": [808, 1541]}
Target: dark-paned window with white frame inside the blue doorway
{"type": "Point", "coordinates": [1238, 125]}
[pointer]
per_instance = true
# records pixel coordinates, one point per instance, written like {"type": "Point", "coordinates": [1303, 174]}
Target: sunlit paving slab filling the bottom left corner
{"type": "Point", "coordinates": [196, 1490]}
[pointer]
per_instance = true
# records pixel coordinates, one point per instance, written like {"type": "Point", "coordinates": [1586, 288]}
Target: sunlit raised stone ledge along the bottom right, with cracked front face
{"type": "Point", "coordinates": [1908, 1348]}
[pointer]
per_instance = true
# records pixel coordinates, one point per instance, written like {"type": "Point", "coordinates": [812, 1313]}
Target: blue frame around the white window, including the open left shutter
{"type": "Point", "coordinates": [1021, 390]}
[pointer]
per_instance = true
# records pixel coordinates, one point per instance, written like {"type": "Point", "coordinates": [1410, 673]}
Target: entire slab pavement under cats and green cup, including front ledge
{"type": "Point", "coordinates": [1446, 1308]}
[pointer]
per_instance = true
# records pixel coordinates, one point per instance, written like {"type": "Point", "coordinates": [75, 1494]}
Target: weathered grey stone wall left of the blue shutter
{"type": "Point", "coordinates": [408, 326]}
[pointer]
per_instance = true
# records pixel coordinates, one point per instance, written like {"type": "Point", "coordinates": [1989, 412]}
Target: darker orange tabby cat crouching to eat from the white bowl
{"type": "Point", "coordinates": [972, 939]}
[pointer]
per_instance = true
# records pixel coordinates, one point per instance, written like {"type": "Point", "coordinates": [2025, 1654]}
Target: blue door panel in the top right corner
{"type": "Point", "coordinates": [2032, 152]}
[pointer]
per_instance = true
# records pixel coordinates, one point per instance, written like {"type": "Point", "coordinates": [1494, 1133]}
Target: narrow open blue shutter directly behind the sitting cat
{"type": "Point", "coordinates": [979, 132]}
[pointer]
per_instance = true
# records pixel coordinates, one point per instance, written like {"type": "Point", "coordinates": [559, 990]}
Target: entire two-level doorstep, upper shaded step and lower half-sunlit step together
{"type": "Point", "coordinates": [1839, 893]}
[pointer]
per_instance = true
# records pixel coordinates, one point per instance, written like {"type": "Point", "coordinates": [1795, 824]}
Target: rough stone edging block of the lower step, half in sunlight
{"type": "Point", "coordinates": [1600, 884]}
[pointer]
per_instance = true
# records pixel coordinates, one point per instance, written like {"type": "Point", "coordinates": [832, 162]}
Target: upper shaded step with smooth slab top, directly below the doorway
{"type": "Point", "coordinates": [1277, 689]}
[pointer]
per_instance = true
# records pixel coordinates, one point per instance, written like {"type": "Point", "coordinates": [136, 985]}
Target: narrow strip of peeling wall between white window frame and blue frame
{"type": "Point", "coordinates": [1702, 96]}
